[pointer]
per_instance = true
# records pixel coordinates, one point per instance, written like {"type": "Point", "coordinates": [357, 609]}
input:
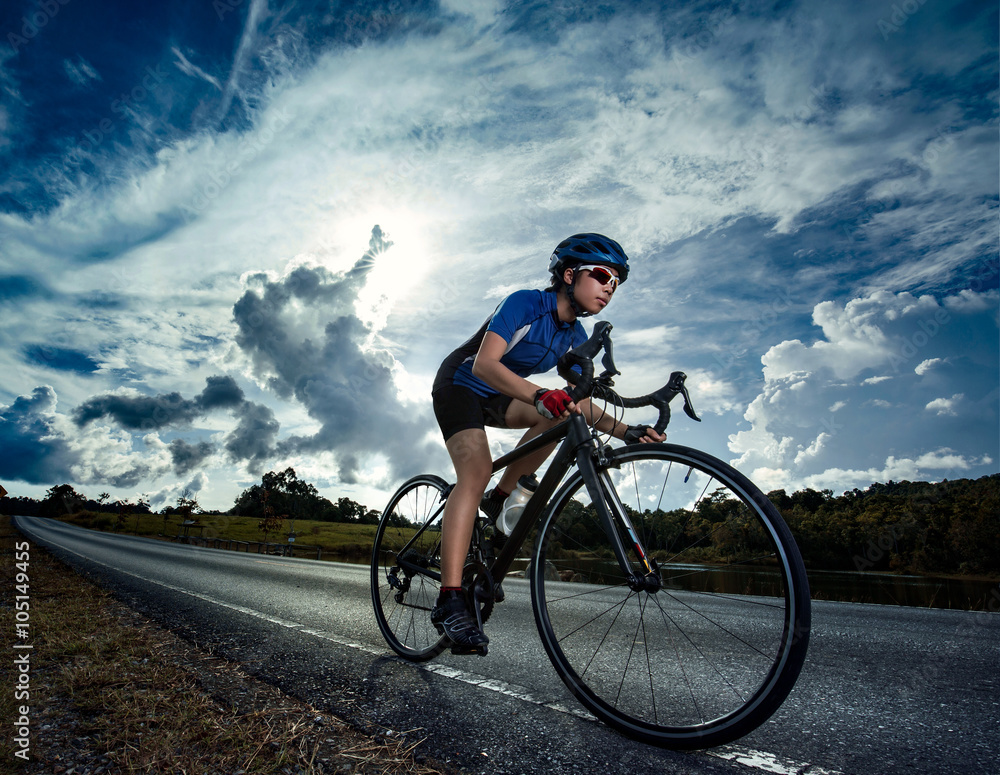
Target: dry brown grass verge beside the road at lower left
{"type": "Point", "coordinates": [113, 693]}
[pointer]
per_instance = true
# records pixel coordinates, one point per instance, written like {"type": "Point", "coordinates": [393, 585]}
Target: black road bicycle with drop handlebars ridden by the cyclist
{"type": "Point", "coordinates": [667, 590]}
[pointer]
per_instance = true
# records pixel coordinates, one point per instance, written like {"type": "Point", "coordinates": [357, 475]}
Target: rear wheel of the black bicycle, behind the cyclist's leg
{"type": "Point", "coordinates": [406, 551]}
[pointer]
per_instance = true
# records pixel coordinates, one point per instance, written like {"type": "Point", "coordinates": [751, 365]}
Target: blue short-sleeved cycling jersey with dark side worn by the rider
{"type": "Point", "coordinates": [529, 322]}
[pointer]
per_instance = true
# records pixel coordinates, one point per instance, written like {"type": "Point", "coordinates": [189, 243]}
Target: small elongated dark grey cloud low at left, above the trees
{"type": "Point", "coordinates": [148, 413]}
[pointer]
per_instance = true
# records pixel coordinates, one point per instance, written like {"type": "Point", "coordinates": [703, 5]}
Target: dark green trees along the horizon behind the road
{"type": "Point", "coordinates": [942, 528]}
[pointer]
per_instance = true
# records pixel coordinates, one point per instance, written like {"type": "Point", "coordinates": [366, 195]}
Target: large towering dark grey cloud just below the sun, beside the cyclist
{"type": "Point", "coordinates": [345, 385]}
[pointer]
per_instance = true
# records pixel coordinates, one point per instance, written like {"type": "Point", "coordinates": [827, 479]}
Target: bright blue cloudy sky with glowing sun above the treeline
{"type": "Point", "coordinates": [241, 235]}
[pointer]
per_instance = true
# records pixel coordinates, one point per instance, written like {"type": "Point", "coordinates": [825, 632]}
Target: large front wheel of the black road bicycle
{"type": "Point", "coordinates": [707, 647]}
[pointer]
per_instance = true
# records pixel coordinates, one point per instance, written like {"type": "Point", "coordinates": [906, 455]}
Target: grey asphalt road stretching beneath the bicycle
{"type": "Point", "coordinates": [884, 690]}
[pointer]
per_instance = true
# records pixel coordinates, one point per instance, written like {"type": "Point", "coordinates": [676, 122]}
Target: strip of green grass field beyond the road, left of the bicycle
{"type": "Point", "coordinates": [339, 540]}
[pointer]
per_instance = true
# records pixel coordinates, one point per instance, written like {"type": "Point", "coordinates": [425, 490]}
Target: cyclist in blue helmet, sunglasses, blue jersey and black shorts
{"type": "Point", "coordinates": [484, 382]}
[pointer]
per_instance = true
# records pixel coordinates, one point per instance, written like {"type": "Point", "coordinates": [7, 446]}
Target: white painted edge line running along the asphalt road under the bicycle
{"type": "Point", "coordinates": [748, 757]}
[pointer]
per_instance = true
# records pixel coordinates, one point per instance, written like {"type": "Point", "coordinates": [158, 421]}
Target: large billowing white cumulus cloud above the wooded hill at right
{"type": "Point", "coordinates": [806, 432]}
